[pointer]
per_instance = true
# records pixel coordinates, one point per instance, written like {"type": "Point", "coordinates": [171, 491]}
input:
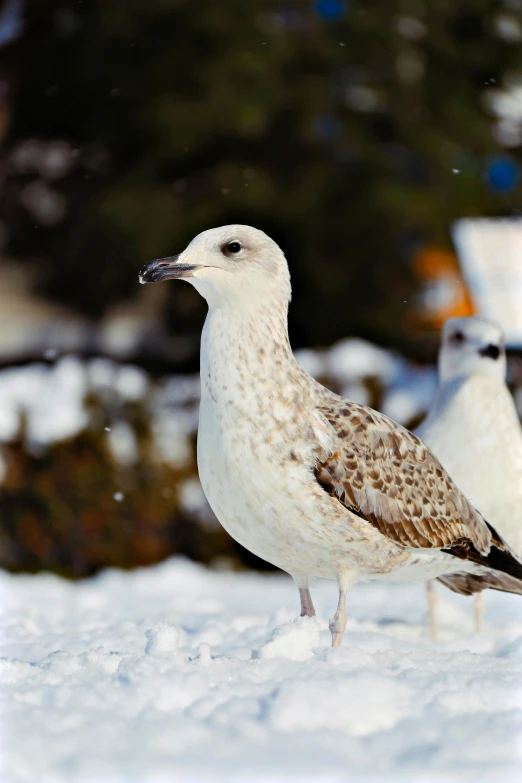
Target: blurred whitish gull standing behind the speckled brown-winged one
{"type": "Point", "coordinates": [474, 430]}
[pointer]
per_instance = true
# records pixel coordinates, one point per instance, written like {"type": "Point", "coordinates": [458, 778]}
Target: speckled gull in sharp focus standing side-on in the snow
{"type": "Point", "coordinates": [313, 483]}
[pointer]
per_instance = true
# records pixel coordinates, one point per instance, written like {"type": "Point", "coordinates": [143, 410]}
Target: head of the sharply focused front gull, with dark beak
{"type": "Point", "coordinates": [231, 264]}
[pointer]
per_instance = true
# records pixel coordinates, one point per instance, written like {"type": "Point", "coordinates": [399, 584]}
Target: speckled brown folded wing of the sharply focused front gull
{"type": "Point", "coordinates": [388, 477]}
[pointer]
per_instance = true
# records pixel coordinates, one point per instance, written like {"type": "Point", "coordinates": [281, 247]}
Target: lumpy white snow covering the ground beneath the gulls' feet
{"type": "Point", "coordinates": [176, 673]}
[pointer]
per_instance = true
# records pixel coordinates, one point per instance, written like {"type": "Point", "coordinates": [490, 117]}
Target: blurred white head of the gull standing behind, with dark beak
{"type": "Point", "coordinates": [472, 346]}
